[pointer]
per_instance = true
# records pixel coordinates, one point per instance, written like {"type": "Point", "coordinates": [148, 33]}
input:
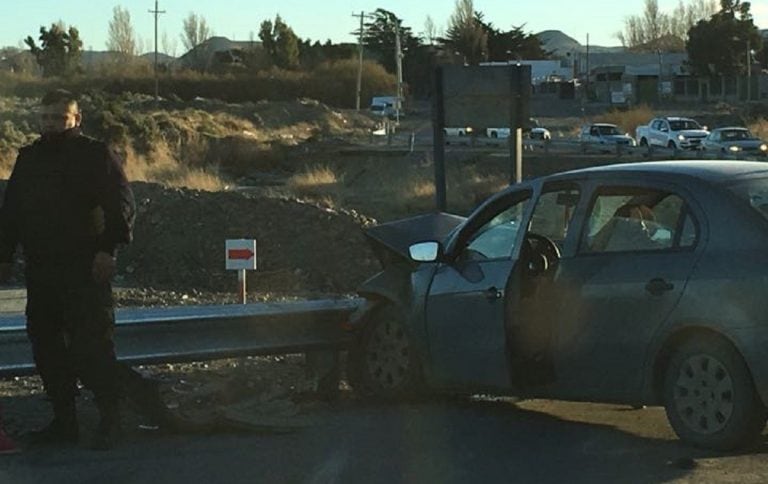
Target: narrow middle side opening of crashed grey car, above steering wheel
{"type": "Point", "coordinates": [553, 213]}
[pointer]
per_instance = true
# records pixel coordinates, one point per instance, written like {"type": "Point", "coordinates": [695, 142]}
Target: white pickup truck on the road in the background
{"type": "Point", "coordinates": [672, 132]}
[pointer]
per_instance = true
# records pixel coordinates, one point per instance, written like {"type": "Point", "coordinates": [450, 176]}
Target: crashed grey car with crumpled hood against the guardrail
{"type": "Point", "coordinates": [639, 283]}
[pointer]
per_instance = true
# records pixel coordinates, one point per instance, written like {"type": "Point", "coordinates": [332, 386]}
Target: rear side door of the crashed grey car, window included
{"type": "Point", "coordinates": [637, 248]}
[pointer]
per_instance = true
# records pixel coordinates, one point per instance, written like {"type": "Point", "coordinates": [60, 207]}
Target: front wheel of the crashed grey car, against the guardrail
{"type": "Point", "coordinates": [382, 362]}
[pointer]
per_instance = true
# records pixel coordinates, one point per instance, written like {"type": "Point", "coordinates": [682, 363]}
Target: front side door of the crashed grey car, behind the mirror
{"type": "Point", "coordinates": [464, 310]}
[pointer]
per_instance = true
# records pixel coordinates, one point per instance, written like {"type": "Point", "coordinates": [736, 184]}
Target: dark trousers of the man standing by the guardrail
{"type": "Point", "coordinates": [70, 323]}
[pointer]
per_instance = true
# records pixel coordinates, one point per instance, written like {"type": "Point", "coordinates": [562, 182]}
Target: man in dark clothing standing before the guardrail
{"type": "Point", "coordinates": [69, 206]}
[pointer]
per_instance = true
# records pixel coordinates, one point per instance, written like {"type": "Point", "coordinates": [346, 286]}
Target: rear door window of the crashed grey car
{"type": "Point", "coordinates": [630, 219]}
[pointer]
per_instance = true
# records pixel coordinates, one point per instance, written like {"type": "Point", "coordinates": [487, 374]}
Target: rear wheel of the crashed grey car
{"type": "Point", "coordinates": [709, 396]}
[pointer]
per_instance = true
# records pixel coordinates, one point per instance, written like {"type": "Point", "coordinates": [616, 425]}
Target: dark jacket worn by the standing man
{"type": "Point", "coordinates": [67, 198]}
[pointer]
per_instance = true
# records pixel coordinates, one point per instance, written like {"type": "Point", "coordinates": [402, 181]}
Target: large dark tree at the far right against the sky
{"type": "Point", "coordinates": [718, 46]}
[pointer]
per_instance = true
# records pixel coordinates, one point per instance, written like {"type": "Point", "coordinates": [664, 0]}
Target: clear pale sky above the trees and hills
{"type": "Point", "coordinates": [321, 20]}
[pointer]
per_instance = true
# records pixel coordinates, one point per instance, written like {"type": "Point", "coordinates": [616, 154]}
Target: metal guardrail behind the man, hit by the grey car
{"type": "Point", "coordinates": [198, 333]}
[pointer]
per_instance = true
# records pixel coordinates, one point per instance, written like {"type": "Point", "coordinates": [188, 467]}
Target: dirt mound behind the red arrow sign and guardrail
{"type": "Point", "coordinates": [302, 248]}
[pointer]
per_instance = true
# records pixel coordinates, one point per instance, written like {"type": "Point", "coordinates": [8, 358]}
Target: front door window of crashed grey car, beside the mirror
{"type": "Point", "coordinates": [496, 238]}
